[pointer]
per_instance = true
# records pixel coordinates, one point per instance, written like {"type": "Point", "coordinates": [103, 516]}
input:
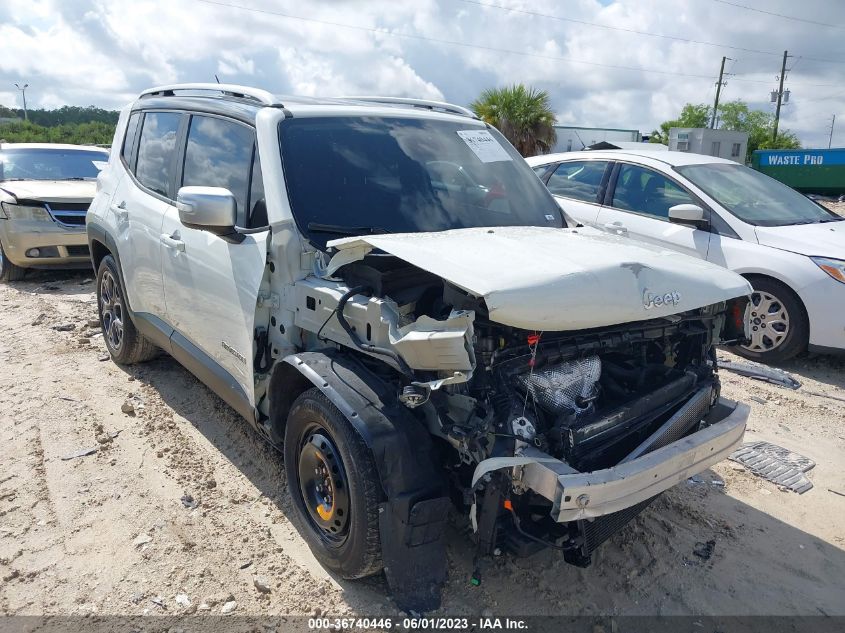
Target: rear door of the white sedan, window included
{"type": "Point", "coordinates": [578, 186]}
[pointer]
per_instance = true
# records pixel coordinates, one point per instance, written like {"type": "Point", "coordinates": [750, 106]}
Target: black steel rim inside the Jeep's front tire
{"type": "Point", "coordinates": [323, 485]}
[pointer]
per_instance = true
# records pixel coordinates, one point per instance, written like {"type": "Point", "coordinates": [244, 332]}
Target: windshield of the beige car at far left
{"type": "Point", "coordinates": [50, 164]}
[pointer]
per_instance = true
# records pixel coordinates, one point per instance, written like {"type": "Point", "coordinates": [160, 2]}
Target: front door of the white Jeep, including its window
{"type": "Point", "coordinates": [211, 283]}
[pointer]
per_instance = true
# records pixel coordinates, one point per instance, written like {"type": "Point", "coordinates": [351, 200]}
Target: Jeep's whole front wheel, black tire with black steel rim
{"type": "Point", "coordinates": [334, 485]}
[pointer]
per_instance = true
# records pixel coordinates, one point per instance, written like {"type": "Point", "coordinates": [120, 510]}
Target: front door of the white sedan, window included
{"type": "Point", "coordinates": [639, 207]}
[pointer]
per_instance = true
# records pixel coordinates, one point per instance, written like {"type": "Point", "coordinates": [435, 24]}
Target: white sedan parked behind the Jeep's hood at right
{"type": "Point", "coordinates": [791, 249]}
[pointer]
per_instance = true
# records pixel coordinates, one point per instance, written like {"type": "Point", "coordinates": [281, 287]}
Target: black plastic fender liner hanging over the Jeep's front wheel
{"type": "Point", "coordinates": [412, 517]}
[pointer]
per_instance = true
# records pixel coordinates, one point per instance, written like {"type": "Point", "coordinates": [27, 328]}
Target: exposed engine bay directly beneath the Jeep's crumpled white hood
{"type": "Point", "coordinates": [588, 397]}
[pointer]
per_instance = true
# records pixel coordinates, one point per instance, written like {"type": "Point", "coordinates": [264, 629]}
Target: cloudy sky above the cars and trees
{"type": "Point", "coordinates": [607, 63]}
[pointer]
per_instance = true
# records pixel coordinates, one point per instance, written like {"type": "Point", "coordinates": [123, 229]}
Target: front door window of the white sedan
{"type": "Point", "coordinates": [646, 191]}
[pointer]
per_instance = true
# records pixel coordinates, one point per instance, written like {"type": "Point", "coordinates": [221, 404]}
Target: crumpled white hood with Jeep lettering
{"type": "Point", "coordinates": [557, 279]}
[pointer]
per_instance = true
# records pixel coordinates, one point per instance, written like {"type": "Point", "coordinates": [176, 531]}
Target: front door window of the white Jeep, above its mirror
{"type": "Point", "coordinates": [219, 154]}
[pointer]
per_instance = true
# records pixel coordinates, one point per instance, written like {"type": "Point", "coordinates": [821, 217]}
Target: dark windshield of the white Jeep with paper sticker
{"type": "Point", "coordinates": [361, 175]}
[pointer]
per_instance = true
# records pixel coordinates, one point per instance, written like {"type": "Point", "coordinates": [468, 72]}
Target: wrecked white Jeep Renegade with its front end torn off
{"type": "Point", "coordinates": [386, 292]}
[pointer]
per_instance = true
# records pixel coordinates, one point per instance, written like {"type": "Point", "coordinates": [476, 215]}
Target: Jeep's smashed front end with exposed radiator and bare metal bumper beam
{"type": "Point", "coordinates": [590, 427]}
